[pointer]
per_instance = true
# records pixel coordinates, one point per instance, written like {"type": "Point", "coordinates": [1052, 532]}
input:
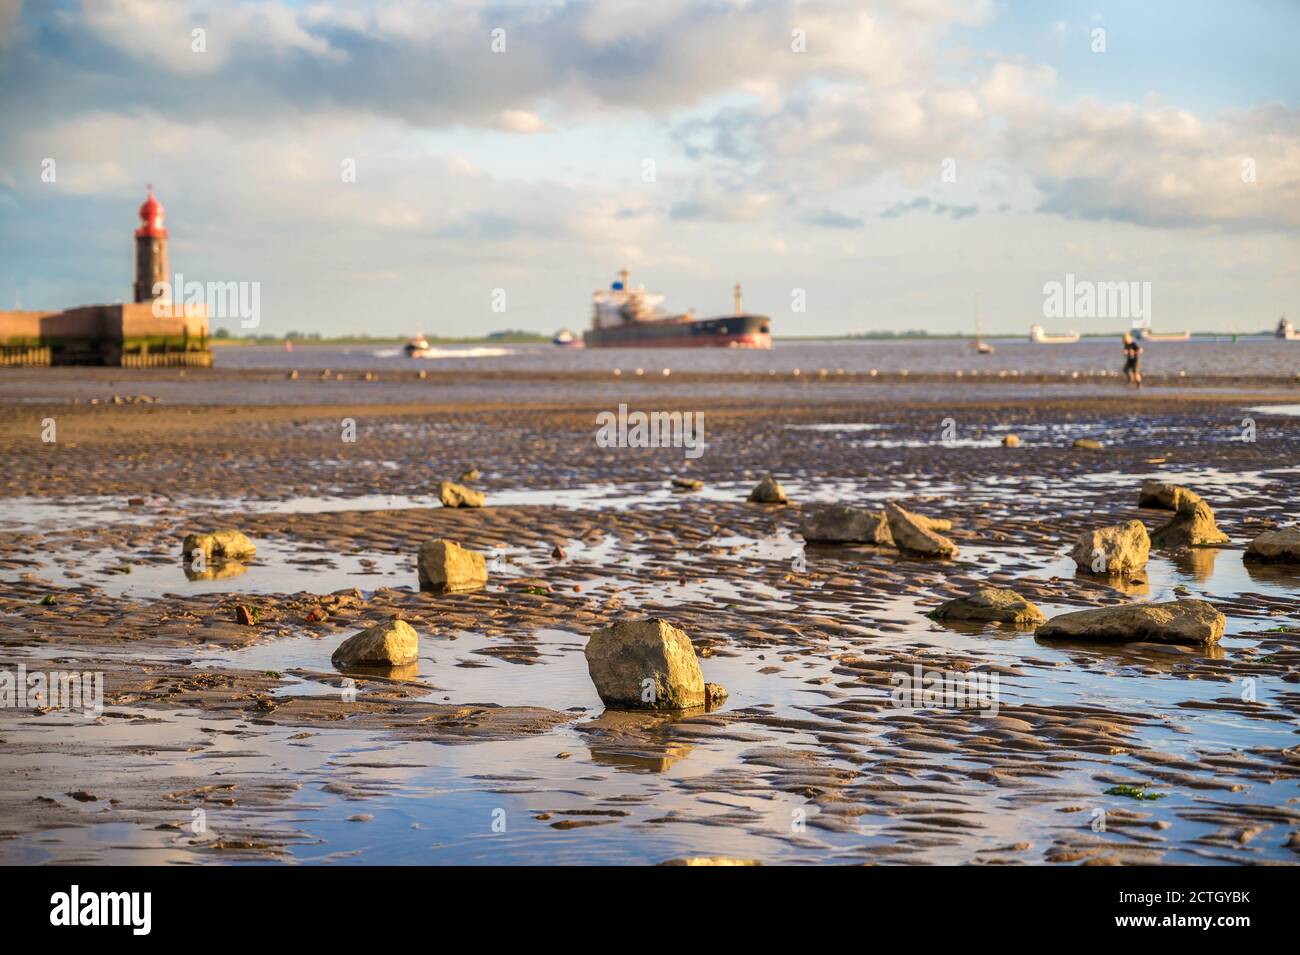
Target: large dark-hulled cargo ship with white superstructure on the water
{"type": "Point", "coordinates": [627, 318]}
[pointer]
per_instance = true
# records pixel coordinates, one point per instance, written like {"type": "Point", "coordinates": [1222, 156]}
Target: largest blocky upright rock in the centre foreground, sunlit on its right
{"type": "Point", "coordinates": [625, 657]}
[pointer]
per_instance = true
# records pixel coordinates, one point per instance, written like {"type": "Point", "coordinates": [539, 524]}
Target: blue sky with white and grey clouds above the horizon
{"type": "Point", "coordinates": [859, 167]}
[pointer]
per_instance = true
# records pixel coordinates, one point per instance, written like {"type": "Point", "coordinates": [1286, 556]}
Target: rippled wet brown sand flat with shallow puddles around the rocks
{"type": "Point", "coordinates": [496, 749]}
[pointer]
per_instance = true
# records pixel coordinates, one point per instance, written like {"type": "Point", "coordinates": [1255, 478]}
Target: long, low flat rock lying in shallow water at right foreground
{"type": "Point", "coordinates": [1193, 623]}
